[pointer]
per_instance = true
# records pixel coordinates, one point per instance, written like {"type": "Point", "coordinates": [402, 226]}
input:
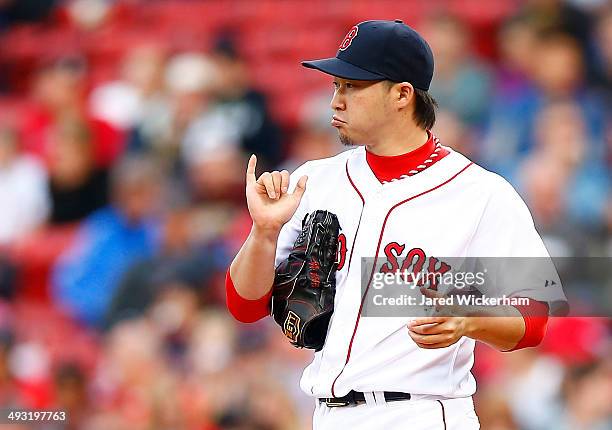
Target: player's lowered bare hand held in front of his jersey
{"type": "Point", "coordinates": [441, 330]}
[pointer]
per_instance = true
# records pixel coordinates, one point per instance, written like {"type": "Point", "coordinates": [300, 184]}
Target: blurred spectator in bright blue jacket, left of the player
{"type": "Point", "coordinates": [109, 242]}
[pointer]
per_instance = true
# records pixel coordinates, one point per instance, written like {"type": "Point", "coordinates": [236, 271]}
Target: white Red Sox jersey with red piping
{"type": "Point", "coordinates": [453, 208]}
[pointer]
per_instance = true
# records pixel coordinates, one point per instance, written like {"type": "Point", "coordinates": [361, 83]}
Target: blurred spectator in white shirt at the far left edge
{"type": "Point", "coordinates": [23, 195]}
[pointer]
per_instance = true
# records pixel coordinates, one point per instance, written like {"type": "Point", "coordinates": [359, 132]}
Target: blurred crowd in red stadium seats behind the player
{"type": "Point", "coordinates": [122, 196]}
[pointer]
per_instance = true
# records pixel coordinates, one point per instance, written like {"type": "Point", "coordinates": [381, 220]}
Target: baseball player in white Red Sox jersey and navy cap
{"type": "Point", "coordinates": [399, 195]}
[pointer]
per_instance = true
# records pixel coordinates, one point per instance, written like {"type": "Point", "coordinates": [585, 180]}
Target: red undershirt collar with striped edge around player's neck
{"type": "Point", "coordinates": [388, 168]}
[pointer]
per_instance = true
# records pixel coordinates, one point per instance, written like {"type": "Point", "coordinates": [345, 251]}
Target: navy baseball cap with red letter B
{"type": "Point", "coordinates": [381, 50]}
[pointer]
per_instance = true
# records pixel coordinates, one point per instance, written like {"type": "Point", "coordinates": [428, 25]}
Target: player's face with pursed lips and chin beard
{"type": "Point", "coordinates": [360, 109]}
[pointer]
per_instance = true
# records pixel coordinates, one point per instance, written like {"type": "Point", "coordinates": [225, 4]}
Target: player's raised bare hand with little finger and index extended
{"type": "Point", "coordinates": [268, 200]}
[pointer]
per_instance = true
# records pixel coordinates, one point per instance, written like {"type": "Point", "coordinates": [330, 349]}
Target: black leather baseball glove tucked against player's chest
{"type": "Point", "coordinates": [305, 283]}
